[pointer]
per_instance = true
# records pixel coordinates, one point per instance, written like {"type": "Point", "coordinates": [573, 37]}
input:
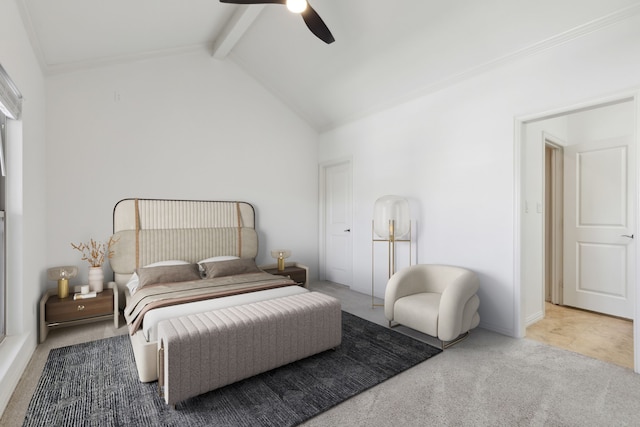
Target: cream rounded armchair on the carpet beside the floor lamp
{"type": "Point", "coordinates": [438, 300]}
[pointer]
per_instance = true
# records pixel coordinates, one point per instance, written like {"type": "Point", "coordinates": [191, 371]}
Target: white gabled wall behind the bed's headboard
{"type": "Point", "coordinates": [185, 127]}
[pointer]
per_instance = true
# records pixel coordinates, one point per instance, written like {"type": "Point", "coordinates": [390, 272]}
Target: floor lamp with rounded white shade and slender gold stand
{"type": "Point", "coordinates": [391, 223]}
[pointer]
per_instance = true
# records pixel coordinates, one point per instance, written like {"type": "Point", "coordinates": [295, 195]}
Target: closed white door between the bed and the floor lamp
{"type": "Point", "coordinates": [337, 226]}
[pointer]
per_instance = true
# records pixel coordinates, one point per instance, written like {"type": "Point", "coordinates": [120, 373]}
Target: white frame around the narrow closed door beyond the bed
{"type": "Point", "coordinates": [322, 202]}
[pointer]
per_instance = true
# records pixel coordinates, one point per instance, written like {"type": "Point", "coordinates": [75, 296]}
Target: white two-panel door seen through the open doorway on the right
{"type": "Point", "coordinates": [599, 224]}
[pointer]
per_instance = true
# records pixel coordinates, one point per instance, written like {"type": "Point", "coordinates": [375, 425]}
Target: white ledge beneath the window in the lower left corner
{"type": "Point", "coordinates": [15, 354]}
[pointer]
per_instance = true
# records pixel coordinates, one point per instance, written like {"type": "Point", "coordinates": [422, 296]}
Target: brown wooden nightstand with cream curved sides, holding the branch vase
{"type": "Point", "coordinates": [56, 312]}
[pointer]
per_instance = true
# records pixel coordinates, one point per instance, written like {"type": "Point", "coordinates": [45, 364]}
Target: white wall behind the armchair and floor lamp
{"type": "Point", "coordinates": [452, 153]}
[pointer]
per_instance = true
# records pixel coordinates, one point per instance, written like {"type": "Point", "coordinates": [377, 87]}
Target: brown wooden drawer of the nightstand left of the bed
{"type": "Point", "coordinates": [62, 310]}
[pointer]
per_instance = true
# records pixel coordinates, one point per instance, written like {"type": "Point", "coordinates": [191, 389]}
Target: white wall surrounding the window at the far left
{"type": "Point", "coordinates": [26, 235]}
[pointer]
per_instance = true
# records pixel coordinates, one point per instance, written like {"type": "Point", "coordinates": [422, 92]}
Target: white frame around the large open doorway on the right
{"type": "Point", "coordinates": [519, 168]}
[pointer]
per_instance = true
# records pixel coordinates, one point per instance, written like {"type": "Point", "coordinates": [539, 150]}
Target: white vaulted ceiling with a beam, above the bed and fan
{"type": "Point", "coordinates": [386, 51]}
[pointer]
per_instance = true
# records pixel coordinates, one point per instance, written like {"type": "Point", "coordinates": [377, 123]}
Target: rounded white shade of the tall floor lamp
{"type": "Point", "coordinates": [389, 208]}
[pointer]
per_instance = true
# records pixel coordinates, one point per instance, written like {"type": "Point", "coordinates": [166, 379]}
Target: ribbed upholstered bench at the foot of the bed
{"type": "Point", "coordinates": [201, 352]}
